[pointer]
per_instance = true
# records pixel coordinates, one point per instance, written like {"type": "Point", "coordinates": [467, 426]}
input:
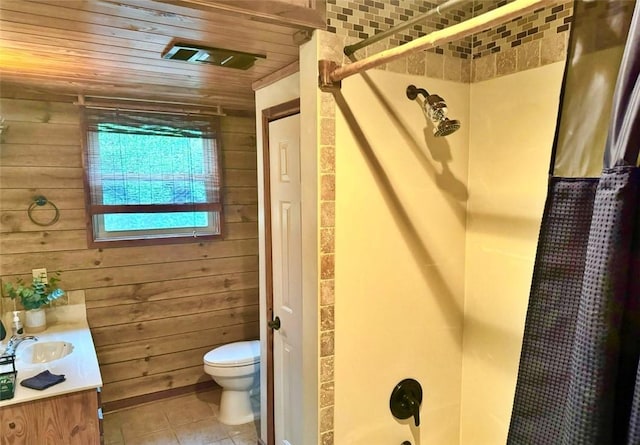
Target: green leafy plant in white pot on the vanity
{"type": "Point", "coordinates": [33, 297]}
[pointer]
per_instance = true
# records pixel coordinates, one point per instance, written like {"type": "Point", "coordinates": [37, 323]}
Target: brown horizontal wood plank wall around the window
{"type": "Point", "coordinates": [153, 311]}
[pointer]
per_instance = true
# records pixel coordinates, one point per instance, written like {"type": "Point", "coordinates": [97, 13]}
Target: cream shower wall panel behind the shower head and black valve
{"type": "Point", "coordinates": [399, 277]}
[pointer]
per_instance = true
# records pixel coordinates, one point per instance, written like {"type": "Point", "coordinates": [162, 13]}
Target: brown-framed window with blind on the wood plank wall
{"type": "Point", "coordinates": [151, 178]}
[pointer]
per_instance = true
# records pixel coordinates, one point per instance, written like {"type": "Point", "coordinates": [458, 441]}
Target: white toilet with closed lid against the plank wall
{"type": "Point", "coordinates": [236, 368]}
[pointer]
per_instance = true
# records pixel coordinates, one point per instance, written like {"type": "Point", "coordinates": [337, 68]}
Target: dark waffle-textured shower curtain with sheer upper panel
{"type": "Point", "coordinates": [579, 379]}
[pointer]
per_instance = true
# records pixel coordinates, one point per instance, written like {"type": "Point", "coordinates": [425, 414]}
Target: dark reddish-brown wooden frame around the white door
{"type": "Point", "coordinates": [269, 115]}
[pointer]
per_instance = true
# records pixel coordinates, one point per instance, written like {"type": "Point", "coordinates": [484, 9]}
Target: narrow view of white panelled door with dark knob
{"type": "Point", "coordinates": [284, 163]}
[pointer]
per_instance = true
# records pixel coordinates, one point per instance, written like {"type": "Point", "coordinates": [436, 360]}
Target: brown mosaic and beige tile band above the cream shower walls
{"type": "Point", "coordinates": [527, 42]}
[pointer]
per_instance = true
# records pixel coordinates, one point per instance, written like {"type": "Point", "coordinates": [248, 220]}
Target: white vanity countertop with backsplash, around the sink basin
{"type": "Point", "coordinates": [80, 367]}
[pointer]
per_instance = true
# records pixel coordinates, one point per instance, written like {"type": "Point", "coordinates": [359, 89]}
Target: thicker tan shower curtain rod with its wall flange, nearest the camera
{"type": "Point", "coordinates": [331, 74]}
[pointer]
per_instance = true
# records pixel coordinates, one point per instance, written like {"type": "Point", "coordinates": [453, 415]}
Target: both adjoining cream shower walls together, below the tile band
{"type": "Point", "coordinates": [435, 241]}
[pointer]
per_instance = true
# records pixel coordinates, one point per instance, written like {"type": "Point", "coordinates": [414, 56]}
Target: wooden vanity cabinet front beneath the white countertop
{"type": "Point", "coordinates": [70, 419]}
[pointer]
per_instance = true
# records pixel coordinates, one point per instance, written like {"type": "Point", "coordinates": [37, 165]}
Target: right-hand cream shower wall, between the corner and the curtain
{"type": "Point", "coordinates": [513, 120]}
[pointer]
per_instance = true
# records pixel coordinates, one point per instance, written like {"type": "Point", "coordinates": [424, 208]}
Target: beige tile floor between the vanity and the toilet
{"type": "Point", "coordinates": [186, 420]}
